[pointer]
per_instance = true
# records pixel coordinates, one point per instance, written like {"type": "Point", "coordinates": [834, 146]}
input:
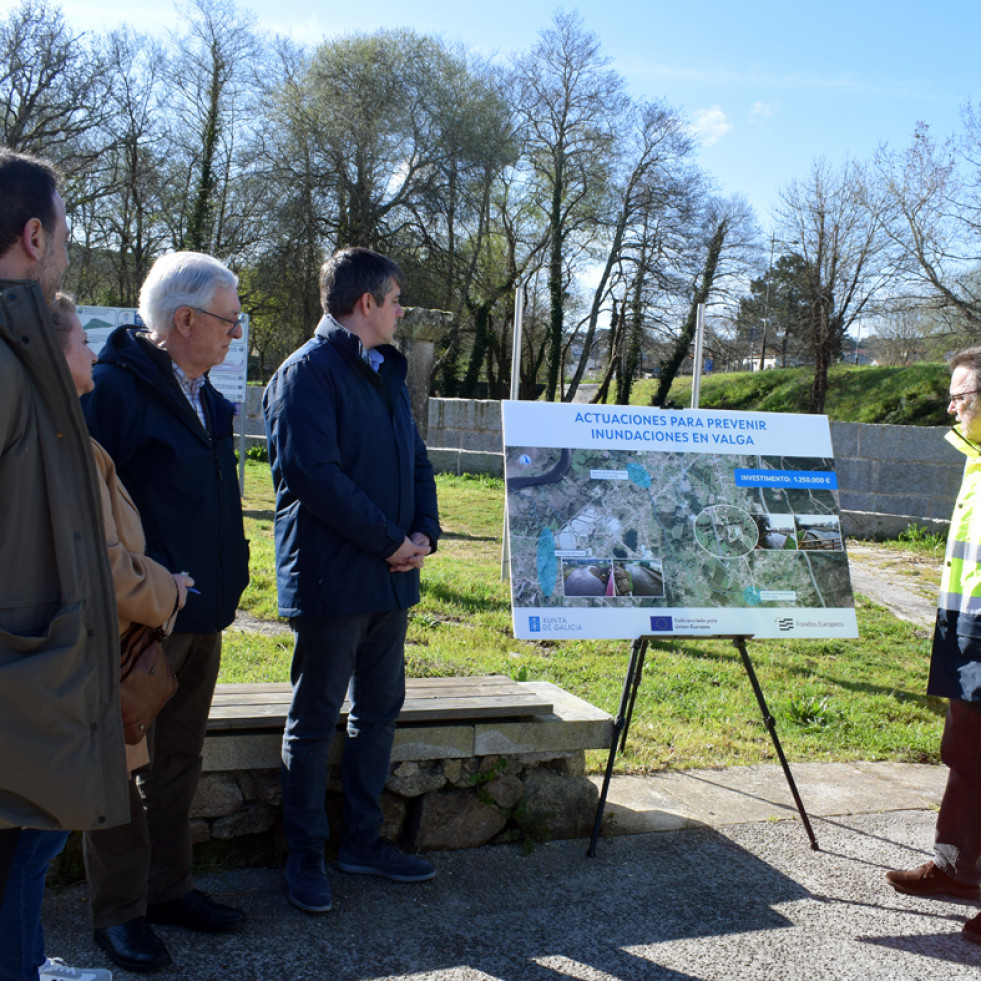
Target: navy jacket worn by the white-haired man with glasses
{"type": "Point", "coordinates": [182, 479]}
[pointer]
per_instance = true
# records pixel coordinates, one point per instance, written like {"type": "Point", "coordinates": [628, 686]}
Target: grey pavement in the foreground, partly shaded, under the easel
{"type": "Point", "coordinates": [727, 888]}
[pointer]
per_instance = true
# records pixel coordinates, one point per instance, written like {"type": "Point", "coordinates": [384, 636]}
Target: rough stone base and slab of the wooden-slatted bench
{"type": "Point", "coordinates": [452, 784]}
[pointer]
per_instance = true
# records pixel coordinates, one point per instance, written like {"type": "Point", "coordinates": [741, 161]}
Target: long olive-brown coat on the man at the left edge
{"type": "Point", "coordinates": [62, 758]}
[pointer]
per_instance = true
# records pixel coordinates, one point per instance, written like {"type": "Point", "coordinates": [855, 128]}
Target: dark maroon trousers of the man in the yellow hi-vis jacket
{"type": "Point", "coordinates": [957, 849]}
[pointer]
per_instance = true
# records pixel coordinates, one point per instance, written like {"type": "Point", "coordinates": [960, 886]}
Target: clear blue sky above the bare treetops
{"type": "Point", "coordinates": [769, 86]}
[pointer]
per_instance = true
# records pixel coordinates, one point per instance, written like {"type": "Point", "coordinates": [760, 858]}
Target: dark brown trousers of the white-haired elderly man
{"type": "Point", "coordinates": [149, 859]}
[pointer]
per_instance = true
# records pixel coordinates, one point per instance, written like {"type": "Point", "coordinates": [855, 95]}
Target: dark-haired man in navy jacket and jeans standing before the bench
{"type": "Point", "coordinates": [356, 516]}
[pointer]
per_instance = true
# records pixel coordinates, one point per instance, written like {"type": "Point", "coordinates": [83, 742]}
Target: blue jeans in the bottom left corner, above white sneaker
{"type": "Point", "coordinates": [21, 936]}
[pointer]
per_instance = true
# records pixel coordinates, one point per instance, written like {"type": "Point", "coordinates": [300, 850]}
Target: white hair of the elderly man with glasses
{"type": "Point", "coordinates": [180, 279]}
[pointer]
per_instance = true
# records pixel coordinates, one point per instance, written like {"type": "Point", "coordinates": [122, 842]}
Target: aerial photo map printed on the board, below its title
{"type": "Point", "coordinates": [674, 531]}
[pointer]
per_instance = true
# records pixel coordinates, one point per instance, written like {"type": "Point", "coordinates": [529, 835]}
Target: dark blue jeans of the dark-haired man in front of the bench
{"type": "Point", "coordinates": [362, 656]}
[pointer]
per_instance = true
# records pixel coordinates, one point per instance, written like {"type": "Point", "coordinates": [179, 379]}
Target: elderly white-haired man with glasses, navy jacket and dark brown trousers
{"type": "Point", "coordinates": [170, 434]}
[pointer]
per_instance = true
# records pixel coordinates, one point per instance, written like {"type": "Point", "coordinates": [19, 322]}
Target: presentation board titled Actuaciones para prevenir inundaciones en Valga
{"type": "Point", "coordinates": [626, 522]}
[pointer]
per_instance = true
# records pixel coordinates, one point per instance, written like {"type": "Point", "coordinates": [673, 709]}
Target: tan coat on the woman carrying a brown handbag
{"type": "Point", "coordinates": [145, 590]}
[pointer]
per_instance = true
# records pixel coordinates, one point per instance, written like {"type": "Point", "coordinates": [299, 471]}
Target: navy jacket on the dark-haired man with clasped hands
{"type": "Point", "coordinates": [352, 478]}
